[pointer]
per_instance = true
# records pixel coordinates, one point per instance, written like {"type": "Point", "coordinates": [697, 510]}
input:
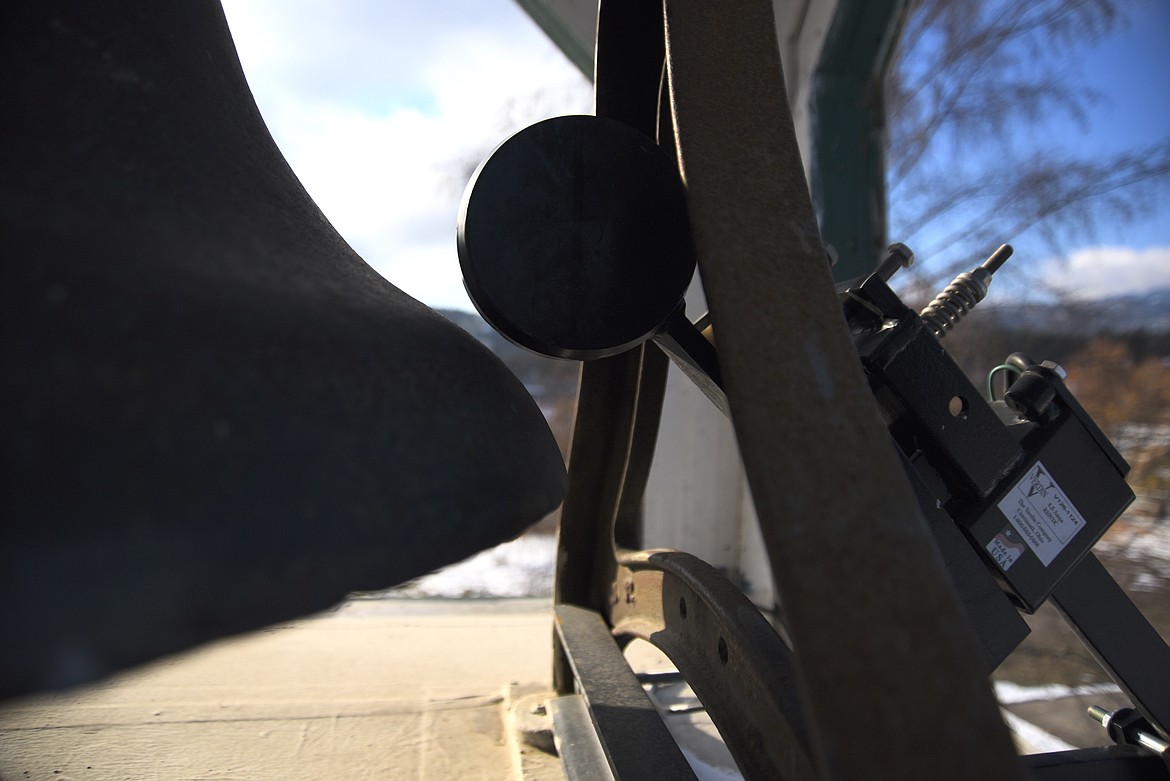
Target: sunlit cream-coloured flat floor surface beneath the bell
{"type": "Point", "coordinates": [380, 689]}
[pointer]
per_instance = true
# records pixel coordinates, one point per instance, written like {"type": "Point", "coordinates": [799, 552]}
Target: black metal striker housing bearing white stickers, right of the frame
{"type": "Point", "coordinates": [1033, 481]}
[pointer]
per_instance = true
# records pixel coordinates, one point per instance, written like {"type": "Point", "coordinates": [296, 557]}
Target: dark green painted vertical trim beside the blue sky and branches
{"type": "Point", "coordinates": [849, 171]}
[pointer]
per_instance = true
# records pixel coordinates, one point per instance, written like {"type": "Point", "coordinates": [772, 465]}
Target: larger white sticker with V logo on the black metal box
{"type": "Point", "coordinates": [1042, 514]}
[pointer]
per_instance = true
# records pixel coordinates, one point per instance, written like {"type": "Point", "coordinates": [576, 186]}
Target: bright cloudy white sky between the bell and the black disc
{"type": "Point", "coordinates": [378, 107]}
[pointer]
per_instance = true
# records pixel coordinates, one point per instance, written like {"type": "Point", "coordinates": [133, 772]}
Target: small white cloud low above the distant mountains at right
{"type": "Point", "coordinates": [1105, 272]}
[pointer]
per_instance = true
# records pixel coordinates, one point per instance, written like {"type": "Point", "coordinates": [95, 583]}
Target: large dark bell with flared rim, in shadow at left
{"type": "Point", "coordinates": [216, 416]}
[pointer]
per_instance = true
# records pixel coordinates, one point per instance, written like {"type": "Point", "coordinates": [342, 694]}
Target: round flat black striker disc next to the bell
{"type": "Point", "coordinates": [574, 238]}
